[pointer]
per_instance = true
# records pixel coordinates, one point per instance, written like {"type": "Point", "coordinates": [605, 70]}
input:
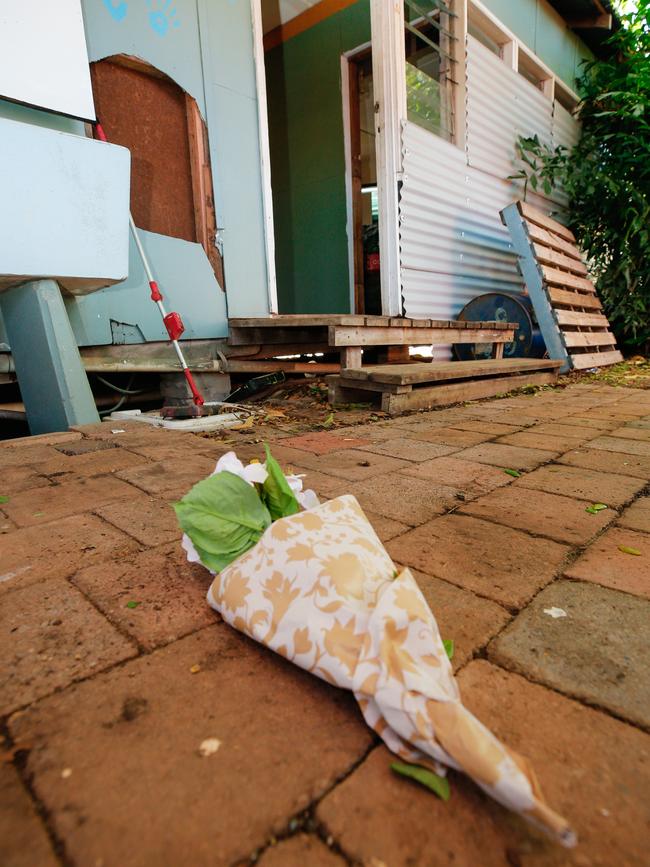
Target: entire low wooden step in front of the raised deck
{"type": "Point", "coordinates": [404, 387]}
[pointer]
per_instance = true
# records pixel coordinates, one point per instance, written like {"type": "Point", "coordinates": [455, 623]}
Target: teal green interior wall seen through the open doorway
{"type": "Point", "coordinates": [305, 111]}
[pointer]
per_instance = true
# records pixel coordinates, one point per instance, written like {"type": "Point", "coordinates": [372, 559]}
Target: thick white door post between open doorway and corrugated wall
{"type": "Point", "coordinates": [389, 83]}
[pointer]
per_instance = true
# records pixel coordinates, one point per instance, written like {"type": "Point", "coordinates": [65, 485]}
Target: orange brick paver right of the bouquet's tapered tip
{"type": "Point", "coordinates": [592, 768]}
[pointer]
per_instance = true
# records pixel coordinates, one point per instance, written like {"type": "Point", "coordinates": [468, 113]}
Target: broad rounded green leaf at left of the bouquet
{"type": "Point", "coordinates": [224, 517]}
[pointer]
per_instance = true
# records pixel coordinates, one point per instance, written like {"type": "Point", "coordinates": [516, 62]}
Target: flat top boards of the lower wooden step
{"type": "Point", "coordinates": [438, 371]}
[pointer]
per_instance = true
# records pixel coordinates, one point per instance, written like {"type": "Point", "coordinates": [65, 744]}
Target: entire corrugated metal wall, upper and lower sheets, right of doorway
{"type": "Point", "coordinates": [453, 246]}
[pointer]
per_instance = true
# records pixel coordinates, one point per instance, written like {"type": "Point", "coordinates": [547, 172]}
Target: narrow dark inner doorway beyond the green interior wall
{"type": "Point", "coordinates": [363, 181]}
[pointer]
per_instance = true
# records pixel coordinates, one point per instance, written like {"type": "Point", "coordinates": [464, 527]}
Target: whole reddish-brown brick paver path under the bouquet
{"type": "Point", "coordinates": [114, 672]}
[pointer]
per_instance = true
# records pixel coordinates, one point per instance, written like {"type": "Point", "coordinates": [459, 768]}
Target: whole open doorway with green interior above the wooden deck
{"type": "Point", "coordinates": [309, 109]}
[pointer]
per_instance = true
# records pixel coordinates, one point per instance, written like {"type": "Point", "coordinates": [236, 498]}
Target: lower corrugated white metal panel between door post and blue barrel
{"type": "Point", "coordinates": [453, 246]}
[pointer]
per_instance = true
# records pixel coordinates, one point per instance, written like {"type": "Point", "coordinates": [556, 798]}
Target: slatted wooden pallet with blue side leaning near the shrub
{"type": "Point", "coordinates": [568, 310]}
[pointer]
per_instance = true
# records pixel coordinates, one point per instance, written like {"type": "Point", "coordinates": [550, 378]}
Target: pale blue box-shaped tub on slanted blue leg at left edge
{"type": "Point", "coordinates": [64, 203]}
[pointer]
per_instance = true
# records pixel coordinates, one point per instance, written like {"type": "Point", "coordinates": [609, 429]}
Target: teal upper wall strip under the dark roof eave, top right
{"type": "Point", "coordinates": [544, 31]}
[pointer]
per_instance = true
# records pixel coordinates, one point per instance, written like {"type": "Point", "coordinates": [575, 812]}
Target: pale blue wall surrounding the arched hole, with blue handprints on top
{"type": "Point", "coordinates": [206, 46]}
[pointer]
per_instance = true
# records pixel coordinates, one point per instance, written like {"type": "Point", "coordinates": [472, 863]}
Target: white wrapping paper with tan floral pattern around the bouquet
{"type": "Point", "coordinates": [320, 589]}
